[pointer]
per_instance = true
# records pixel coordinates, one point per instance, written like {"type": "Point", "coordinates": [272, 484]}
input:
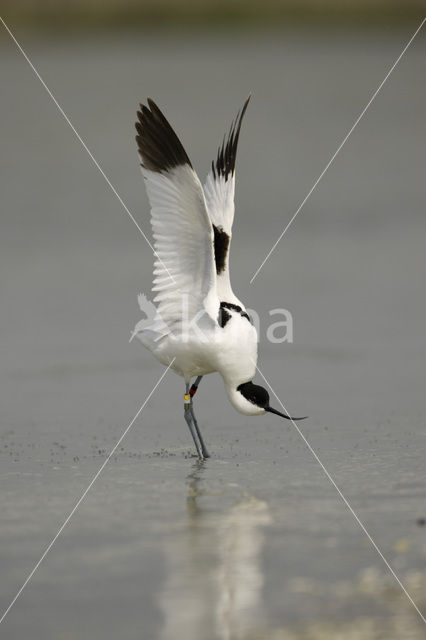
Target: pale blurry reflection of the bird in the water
{"type": "Point", "coordinates": [213, 588]}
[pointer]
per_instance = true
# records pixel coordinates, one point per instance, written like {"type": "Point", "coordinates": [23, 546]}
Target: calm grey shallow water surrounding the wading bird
{"type": "Point", "coordinates": [255, 542]}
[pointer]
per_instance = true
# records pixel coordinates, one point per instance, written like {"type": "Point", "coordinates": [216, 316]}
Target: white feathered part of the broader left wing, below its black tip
{"type": "Point", "coordinates": [184, 271]}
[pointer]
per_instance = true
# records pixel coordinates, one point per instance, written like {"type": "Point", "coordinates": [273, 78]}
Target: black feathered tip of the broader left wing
{"type": "Point", "coordinates": [159, 147]}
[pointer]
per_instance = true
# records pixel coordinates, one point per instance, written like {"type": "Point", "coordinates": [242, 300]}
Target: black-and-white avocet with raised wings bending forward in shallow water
{"type": "Point", "coordinates": [199, 326]}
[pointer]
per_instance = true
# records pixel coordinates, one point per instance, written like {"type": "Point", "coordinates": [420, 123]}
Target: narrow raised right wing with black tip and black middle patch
{"type": "Point", "coordinates": [219, 192]}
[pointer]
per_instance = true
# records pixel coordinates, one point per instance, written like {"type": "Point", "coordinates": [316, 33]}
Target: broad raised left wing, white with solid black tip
{"type": "Point", "coordinates": [184, 269]}
